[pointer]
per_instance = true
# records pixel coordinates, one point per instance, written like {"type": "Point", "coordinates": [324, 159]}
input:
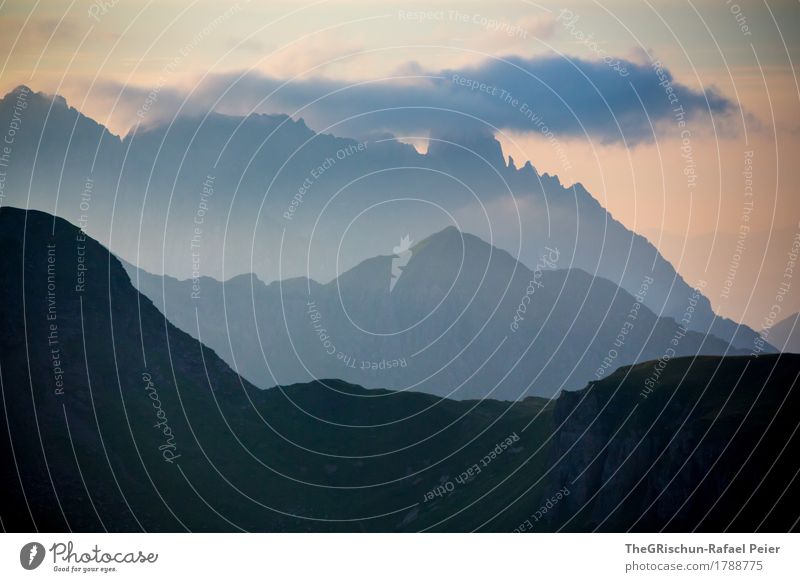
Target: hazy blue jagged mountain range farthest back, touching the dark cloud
{"type": "Point", "coordinates": [221, 196]}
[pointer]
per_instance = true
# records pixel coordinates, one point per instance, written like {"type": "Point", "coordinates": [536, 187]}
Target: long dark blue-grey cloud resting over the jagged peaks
{"type": "Point", "coordinates": [613, 101]}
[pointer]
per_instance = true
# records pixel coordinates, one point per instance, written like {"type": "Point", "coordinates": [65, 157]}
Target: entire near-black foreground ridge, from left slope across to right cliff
{"type": "Point", "coordinates": [115, 420]}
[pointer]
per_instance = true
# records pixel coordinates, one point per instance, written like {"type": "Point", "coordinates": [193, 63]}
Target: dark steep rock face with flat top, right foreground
{"type": "Point", "coordinates": [711, 448]}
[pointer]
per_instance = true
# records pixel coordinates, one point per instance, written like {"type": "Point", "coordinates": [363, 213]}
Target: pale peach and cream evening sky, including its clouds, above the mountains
{"type": "Point", "coordinates": [731, 66]}
